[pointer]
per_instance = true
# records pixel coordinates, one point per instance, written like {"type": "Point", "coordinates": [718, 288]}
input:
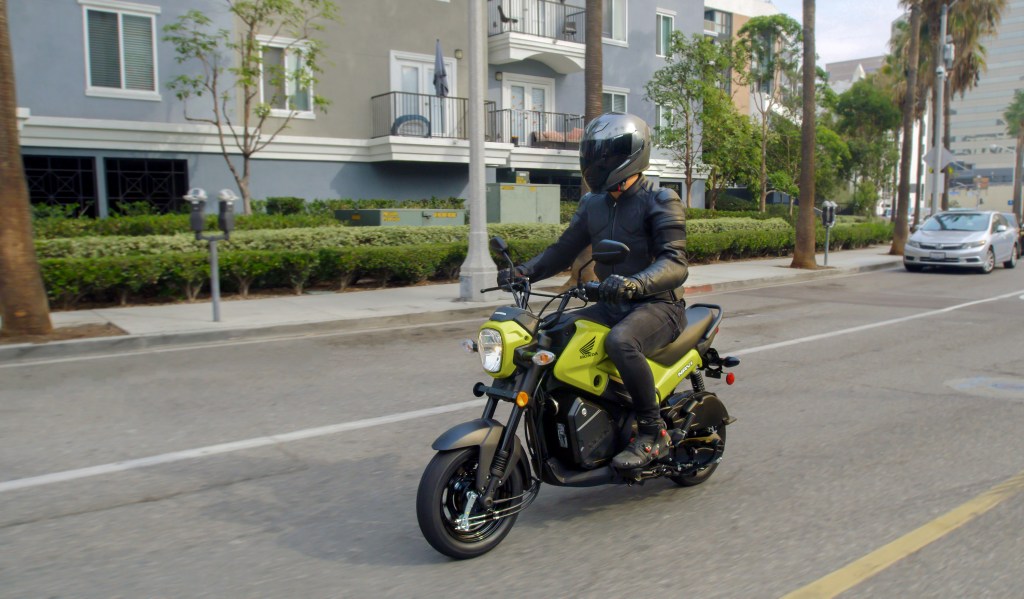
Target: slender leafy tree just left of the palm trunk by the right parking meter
{"type": "Point", "coordinates": [773, 45]}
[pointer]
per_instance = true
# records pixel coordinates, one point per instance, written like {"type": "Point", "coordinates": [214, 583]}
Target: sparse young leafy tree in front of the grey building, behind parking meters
{"type": "Point", "coordinates": [232, 73]}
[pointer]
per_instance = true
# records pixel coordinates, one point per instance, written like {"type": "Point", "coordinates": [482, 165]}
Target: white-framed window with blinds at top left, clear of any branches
{"type": "Point", "coordinates": [120, 50]}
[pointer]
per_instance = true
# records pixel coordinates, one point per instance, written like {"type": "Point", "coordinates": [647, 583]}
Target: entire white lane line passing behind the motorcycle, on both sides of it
{"type": "Point", "coordinates": [372, 422]}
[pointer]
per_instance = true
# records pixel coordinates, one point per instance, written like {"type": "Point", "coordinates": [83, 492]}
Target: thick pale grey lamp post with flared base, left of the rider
{"type": "Point", "coordinates": [479, 271]}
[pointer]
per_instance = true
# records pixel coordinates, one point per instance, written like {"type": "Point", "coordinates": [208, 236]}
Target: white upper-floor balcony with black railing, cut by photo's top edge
{"type": "Point", "coordinates": [552, 33]}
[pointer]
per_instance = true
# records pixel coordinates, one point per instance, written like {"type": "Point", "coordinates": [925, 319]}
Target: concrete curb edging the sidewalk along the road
{"type": "Point", "coordinates": [28, 353]}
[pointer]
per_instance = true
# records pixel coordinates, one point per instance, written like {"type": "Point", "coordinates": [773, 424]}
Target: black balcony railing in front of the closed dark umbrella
{"type": "Point", "coordinates": [419, 115]}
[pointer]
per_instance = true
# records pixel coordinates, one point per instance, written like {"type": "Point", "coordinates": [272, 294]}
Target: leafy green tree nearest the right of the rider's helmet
{"type": "Point", "coordinates": [695, 74]}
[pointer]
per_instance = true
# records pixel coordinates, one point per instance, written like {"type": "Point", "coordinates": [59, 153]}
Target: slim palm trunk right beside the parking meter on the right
{"type": "Point", "coordinates": [803, 253]}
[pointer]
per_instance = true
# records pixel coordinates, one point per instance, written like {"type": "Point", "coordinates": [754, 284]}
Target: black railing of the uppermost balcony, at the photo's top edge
{"type": "Point", "coordinates": [540, 18]}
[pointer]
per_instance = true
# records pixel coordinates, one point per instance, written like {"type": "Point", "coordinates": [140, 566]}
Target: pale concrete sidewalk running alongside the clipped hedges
{"type": "Point", "coordinates": [318, 313]}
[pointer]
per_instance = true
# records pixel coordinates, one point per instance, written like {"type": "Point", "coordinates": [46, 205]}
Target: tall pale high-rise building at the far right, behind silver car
{"type": "Point", "coordinates": [978, 136]}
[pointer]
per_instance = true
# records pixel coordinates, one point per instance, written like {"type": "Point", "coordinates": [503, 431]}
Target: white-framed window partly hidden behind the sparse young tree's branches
{"type": "Point", "coordinates": [285, 84]}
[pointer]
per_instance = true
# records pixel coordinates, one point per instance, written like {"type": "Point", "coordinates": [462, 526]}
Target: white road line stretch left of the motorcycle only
{"type": "Point", "coordinates": [229, 448]}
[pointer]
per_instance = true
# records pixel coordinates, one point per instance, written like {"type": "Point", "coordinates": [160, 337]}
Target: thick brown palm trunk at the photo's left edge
{"type": "Point", "coordinates": [23, 299]}
